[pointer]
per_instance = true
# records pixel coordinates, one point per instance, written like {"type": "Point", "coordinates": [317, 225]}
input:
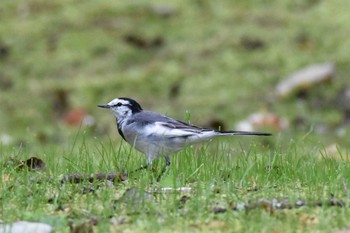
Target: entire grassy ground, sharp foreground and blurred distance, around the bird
{"type": "Point", "coordinates": [218, 61]}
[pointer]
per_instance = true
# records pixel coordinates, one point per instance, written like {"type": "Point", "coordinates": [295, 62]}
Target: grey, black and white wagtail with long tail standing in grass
{"type": "Point", "coordinates": [154, 134]}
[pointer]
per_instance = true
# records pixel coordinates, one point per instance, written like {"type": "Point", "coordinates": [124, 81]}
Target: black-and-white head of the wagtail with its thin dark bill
{"type": "Point", "coordinates": [122, 107]}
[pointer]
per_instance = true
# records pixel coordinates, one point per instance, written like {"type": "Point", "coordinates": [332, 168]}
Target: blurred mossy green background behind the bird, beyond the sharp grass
{"type": "Point", "coordinates": [220, 61]}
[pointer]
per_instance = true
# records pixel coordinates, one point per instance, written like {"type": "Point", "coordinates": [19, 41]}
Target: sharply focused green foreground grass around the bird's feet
{"type": "Point", "coordinates": [218, 177]}
